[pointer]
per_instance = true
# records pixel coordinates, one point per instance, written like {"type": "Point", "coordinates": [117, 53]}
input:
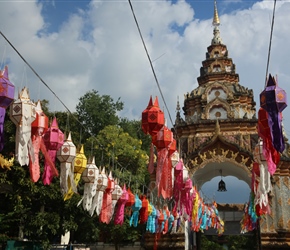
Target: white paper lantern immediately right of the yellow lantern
{"type": "Point", "coordinates": [90, 177]}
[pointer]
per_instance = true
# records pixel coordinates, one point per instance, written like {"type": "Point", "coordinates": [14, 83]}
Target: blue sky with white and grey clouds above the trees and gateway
{"type": "Point", "coordinates": [77, 46]}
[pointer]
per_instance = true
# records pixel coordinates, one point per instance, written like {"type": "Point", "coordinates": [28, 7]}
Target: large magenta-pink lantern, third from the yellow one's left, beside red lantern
{"type": "Point", "coordinates": [53, 140]}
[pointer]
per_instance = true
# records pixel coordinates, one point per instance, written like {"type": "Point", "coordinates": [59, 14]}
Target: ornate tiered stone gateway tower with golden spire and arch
{"type": "Point", "coordinates": [220, 129]}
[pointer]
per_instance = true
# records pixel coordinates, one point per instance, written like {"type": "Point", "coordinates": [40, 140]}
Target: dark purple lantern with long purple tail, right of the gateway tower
{"type": "Point", "coordinates": [274, 100]}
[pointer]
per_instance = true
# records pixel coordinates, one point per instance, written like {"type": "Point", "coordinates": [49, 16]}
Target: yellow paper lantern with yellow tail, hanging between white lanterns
{"type": "Point", "coordinates": [80, 164]}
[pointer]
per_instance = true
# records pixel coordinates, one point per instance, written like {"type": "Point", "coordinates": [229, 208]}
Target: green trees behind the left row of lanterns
{"type": "Point", "coordinates": [39, 213]}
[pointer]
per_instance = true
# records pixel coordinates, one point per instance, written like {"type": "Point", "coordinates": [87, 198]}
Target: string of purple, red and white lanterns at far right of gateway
{"type": "Point", "coordinates": [273, 101]}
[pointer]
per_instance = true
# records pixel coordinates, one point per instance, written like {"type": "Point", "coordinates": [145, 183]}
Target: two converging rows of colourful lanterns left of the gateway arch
{"type": "Point", "coordinates": [102, 193]}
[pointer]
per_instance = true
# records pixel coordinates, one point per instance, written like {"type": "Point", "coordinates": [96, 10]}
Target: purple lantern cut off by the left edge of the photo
{"type": "Point", "coordinates": [6, 98]}
